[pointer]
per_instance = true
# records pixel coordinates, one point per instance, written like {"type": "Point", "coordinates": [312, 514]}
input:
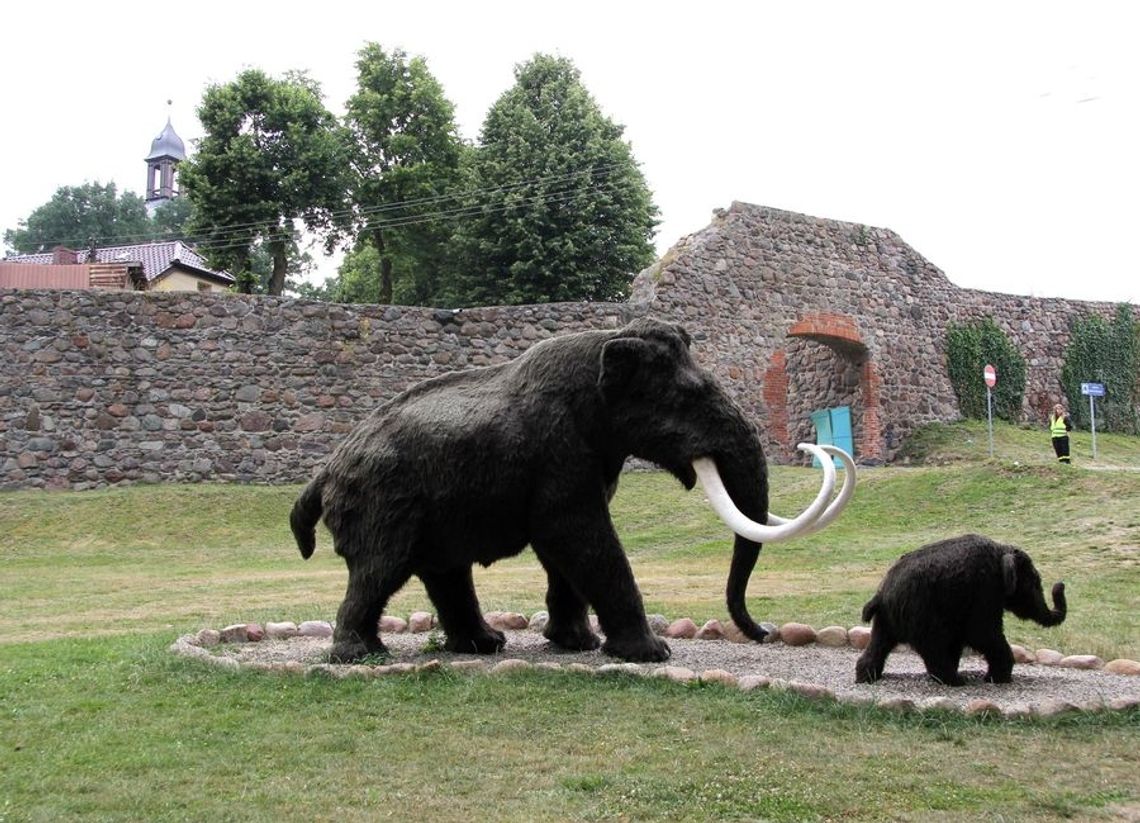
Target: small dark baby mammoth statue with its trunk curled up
{"type": "Point", "coordinates": [949, 596]}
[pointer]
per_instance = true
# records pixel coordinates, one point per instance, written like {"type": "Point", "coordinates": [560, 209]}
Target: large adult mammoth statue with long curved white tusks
{"type": "Point", "coordinates": [475, 466]}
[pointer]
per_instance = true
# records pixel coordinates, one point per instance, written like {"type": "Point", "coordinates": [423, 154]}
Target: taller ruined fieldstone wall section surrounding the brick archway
{"type": "Point", "coordinates": [754, 273]}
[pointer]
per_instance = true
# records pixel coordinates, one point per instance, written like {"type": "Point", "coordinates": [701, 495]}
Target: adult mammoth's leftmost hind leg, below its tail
{"type": "Point", "coordinates": [357, 633]}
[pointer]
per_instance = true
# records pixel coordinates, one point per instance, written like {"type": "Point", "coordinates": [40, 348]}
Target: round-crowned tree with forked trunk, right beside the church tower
{"type": "Point", "coordinates": [272, 156]}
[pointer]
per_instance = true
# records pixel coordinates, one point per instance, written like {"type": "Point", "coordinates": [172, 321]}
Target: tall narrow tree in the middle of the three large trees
{"type": "Point", "coordinates": [406, 154]}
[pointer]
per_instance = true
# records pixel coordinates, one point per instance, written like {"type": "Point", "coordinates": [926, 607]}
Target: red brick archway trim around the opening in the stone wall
{"type": "Point", "coordinates": [841, 333]}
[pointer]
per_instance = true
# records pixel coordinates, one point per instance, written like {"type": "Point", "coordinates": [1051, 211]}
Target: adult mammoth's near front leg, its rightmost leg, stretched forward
{"type": "Point", "coordinates": [577, 541]}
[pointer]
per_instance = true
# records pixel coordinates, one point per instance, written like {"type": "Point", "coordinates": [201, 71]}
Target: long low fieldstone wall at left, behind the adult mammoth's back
{"type": "Point", "coordinates": [104, 388]}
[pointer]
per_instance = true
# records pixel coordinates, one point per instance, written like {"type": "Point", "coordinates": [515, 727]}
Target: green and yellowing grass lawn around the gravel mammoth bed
{"type": "Point", "coordinates": [100, 722]}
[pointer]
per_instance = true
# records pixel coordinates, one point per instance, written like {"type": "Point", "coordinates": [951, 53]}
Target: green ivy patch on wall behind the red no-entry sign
{"type": "Point", "coordinates": [970, 348]}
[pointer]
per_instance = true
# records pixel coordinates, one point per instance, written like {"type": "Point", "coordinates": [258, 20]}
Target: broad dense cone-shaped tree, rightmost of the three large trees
{"type": "Point", "coordinates": [561, 211]}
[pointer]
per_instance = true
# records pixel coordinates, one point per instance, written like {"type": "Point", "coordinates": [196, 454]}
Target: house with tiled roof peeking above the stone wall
{"type": "Point", "coordinates": [170, 266]}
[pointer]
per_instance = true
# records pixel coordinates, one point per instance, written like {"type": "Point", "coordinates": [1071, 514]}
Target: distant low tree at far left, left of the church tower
{"type": "Point", "coordinates": [76, 215]}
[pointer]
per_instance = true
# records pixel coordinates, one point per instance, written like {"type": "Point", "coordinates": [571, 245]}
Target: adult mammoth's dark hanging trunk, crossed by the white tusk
{"type": "Point", "coordinates": [747, 483]}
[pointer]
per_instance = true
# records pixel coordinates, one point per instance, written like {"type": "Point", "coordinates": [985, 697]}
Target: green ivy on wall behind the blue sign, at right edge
{"type": "Point", "coordinates": [1105, 353]}
